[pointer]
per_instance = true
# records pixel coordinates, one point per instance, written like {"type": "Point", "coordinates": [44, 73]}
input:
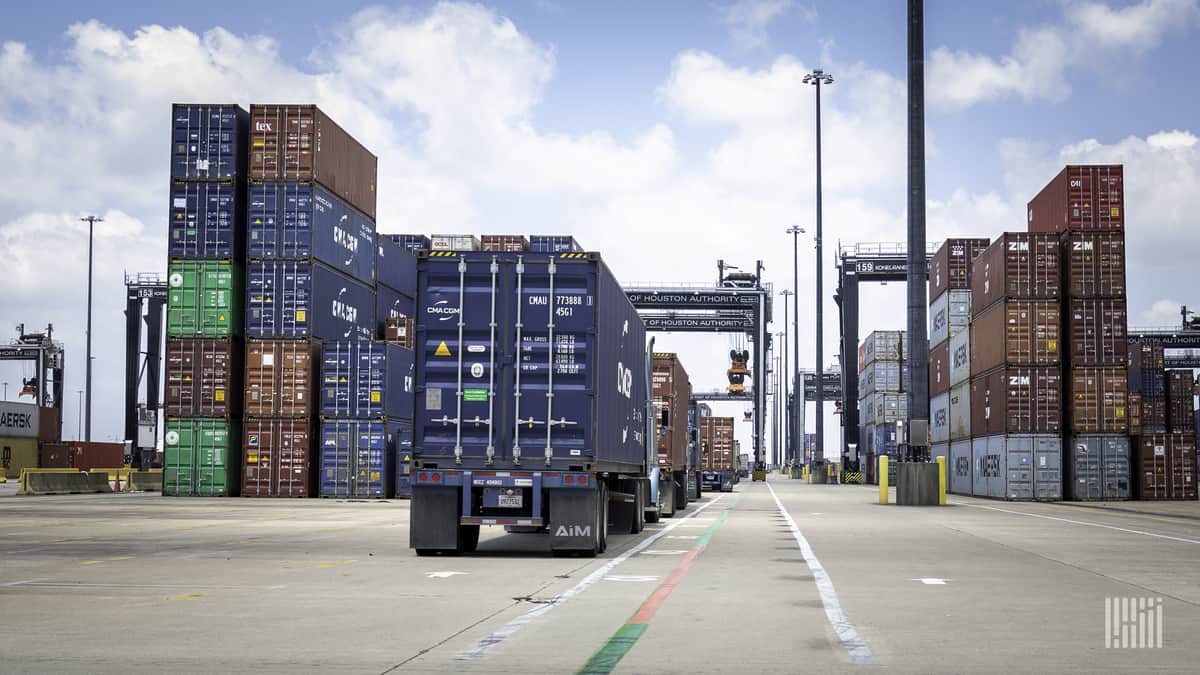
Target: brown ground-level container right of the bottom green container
{"type": "Point", "coordinates": [277, 458]}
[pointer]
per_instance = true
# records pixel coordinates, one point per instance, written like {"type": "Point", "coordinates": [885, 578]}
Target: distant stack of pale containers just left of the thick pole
{"type": "Point", "coordinates": [883, 392]}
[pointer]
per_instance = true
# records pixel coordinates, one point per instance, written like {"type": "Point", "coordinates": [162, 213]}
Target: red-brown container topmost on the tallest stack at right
{"type": "Point", "coordinates": [1081, 199]}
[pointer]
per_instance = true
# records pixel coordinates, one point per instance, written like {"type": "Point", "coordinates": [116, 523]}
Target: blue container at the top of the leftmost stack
{"type": "Point", "coordinates": [208, 142]}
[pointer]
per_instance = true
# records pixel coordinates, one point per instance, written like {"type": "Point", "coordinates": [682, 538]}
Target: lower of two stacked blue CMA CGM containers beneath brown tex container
{"type": "Point", "coordinates": [293, 300]}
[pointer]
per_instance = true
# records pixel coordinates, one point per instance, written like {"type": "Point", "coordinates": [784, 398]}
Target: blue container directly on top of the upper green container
{"type": "Point", "coordinates": [208, 220]}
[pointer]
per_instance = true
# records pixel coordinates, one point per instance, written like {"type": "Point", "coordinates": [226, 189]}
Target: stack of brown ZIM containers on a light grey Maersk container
{"type": "Point", "coordinates": [1016, 371]}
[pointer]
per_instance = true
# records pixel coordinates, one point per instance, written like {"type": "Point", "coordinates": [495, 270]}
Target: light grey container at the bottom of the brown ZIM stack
{"type": "Point", "coordinates": [1018, 468]}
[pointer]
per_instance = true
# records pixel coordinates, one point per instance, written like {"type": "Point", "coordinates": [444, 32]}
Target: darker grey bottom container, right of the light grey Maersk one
{"type": "Point", "coordinates": [1099, 469]}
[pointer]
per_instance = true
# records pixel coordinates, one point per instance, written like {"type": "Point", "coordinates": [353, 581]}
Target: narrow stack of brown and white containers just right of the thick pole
{"type": "Point", "coordinates": [950, 362]}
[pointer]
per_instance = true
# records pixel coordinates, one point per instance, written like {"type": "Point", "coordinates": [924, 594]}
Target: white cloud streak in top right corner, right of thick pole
{"type": "Point", "coordinates": [1042, 57]}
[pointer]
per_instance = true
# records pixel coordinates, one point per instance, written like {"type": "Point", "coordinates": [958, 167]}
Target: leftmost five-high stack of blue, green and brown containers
{"type": "Point", "coordinates": [206, 274]}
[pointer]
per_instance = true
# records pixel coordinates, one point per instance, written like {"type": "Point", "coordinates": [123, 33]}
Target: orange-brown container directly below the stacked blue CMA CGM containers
{"type": "Point", "coordinates": [280, 378]}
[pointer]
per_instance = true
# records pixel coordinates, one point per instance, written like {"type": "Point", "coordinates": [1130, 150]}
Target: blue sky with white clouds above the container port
{"type": "Point", "coordinates": [664, 135]}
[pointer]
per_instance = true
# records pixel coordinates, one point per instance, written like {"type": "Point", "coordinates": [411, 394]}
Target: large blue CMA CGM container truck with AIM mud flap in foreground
{"type": "Point", "coordinates": [553, 353]}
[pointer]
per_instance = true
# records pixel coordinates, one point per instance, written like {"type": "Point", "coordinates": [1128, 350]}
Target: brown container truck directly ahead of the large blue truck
{"type": "Point", "coordinates": [671, 390]}
